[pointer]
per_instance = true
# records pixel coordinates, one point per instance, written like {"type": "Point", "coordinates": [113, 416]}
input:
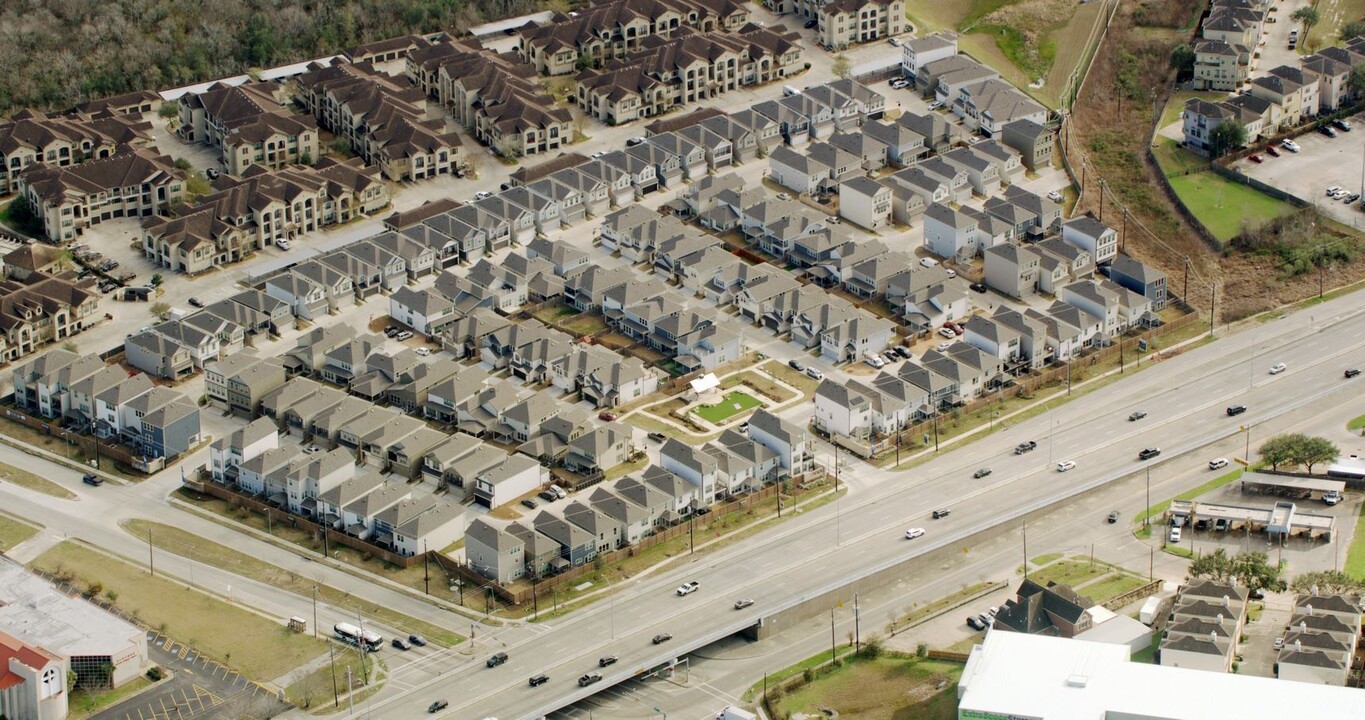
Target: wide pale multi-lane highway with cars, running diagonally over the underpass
{"type": "Point", "coordinates": [1184, 397]}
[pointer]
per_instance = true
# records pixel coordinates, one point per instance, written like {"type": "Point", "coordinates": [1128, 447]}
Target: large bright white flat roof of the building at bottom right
{"type": "Point", "coordinates": [1012, 676]}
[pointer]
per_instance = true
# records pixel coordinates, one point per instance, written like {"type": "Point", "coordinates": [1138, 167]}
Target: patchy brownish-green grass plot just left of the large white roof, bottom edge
{"type": "Point", "coordinates": [880, 689]}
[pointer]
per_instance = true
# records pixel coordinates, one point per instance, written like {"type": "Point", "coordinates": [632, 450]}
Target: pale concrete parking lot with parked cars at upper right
{"type": "Point", "coordinates": [1322, 163]}
